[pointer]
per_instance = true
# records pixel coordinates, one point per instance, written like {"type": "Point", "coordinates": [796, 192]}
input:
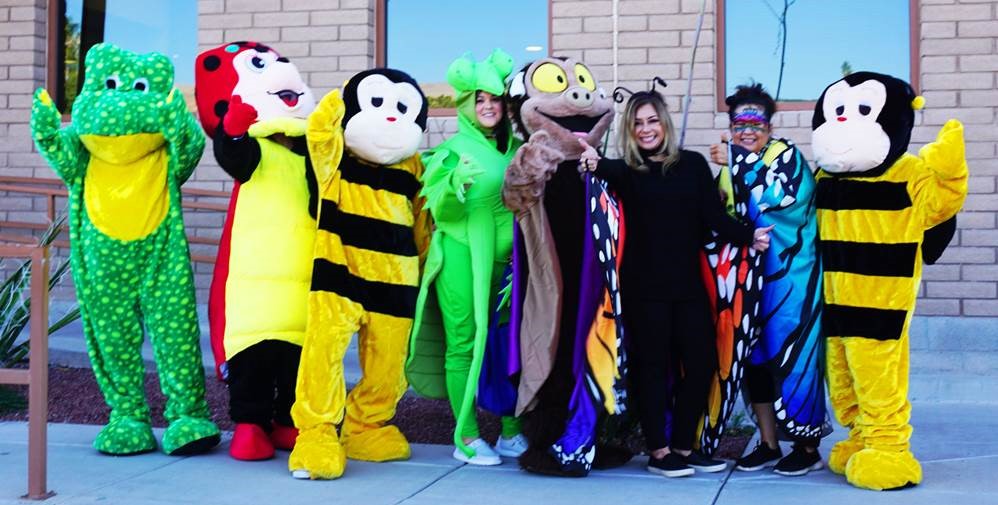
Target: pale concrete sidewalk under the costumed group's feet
{"type": "Point", "coordinates": [957, 444]}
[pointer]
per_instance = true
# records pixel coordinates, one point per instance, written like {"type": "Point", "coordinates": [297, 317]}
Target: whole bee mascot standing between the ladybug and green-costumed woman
{"type": "Point", "coordinates": [369, 249]}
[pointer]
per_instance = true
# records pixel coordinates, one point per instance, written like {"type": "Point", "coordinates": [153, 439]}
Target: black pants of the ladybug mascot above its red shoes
{"type": "Point", "coordinates": [262, 381]}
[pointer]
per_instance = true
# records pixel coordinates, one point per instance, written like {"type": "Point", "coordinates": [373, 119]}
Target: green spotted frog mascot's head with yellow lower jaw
{"type": "Point", "coordinates": [118, 112]}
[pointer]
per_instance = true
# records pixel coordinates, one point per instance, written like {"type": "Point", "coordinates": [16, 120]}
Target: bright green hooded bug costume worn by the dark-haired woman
{"type": "Point", "coordinates": [471, 246]}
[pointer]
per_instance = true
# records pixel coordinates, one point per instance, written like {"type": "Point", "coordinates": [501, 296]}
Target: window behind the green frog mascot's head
{"type": "Point", "coordinates": [166, 26]}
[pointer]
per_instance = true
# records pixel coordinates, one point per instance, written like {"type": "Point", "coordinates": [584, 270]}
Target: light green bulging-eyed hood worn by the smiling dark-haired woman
{"type": "Point", "coordinates": [468, 77]}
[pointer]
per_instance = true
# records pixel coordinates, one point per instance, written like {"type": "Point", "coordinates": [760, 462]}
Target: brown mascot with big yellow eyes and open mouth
{"type": "Point", "coordinates": [568, 240]}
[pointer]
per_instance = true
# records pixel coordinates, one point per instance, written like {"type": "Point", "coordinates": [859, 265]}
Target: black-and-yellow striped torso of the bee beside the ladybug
{"type": "Point", "coordinates": [366, 248]}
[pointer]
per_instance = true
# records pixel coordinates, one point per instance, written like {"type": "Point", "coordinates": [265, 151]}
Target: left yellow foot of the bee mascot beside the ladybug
{"type": "Point", "coordinates": [317, 455]}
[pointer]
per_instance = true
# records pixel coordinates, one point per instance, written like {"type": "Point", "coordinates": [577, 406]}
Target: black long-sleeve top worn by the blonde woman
{"type": "Point", "coordinates": [668, 218]}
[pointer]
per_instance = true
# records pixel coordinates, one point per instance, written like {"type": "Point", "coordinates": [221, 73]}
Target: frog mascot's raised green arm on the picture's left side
{"type": "Point", "coordinates": [61, 147]}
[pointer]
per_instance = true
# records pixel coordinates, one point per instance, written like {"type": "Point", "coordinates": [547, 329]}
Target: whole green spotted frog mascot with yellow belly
{"type": "Point", "coordinates": [131, 144]}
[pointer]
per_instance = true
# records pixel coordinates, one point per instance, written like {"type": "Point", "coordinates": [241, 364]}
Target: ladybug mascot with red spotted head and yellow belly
{"type": "Point", "coordinates": [254, 104]}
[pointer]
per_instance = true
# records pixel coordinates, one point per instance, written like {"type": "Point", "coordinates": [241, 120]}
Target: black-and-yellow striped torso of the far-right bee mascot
{"type": "Point", "coordinates": [871, 234]}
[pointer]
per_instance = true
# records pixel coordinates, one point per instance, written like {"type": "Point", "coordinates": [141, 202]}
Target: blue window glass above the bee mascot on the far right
{"type": "Point", "coordinates": [869, 34]}
